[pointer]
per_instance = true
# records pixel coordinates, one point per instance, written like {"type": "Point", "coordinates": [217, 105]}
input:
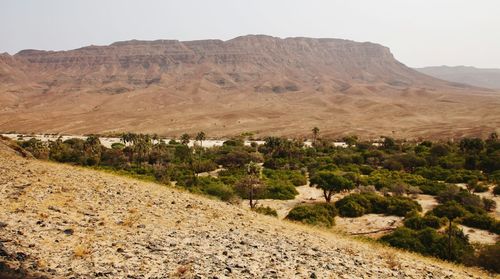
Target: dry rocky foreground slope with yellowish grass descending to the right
{"type": "Point", "coordinates": [67, 222]}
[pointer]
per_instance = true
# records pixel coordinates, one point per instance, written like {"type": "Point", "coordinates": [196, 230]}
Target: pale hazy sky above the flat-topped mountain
{"type": "Point", "coordinates": [419, 32]}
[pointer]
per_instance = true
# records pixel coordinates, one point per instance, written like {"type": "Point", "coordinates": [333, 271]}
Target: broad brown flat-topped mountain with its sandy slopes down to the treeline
{"type": "Point", "coordinates": [255, 83]}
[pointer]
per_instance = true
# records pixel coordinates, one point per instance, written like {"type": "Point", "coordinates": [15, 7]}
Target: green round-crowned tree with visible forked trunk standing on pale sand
{"type": "Point", "coordinates": [331, 183]}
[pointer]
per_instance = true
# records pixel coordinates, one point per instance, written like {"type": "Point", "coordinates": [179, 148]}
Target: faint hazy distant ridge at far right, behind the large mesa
{"type": "Point", "coordinates": [487, 78]}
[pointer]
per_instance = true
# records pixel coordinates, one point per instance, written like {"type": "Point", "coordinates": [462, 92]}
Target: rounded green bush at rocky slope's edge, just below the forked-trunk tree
{"type": "Point", "coordinates": [321, 214]}
